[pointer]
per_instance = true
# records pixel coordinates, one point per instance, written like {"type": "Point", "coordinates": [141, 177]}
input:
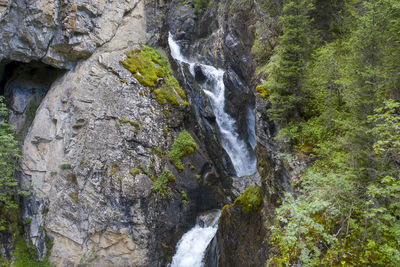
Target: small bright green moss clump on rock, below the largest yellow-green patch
{"type": "Point", "coordinates": [184, 145]}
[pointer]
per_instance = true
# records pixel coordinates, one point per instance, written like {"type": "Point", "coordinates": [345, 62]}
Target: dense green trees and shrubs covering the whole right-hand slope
{"type": "Point", "coordinates": [346, 207]}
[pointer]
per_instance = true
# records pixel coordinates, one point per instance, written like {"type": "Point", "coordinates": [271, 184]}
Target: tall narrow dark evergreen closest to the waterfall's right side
{"type": "Point", "coordinates": [286, 68]}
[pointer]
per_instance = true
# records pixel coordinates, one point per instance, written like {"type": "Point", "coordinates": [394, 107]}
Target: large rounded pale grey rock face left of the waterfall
{"type": "Point", "coordinates": [95, 125]}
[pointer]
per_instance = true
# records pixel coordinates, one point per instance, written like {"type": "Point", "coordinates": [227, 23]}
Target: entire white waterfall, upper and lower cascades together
{"type": "Point", "coordinates": [191, 248]}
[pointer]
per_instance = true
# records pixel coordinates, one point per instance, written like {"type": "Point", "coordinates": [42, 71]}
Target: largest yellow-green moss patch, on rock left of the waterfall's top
{"type": "Point", "coordinates": [152, 70]}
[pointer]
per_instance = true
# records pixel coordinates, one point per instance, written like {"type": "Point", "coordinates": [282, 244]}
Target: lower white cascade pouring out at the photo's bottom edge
{"type": "Point", "coordinates": [193, 244]}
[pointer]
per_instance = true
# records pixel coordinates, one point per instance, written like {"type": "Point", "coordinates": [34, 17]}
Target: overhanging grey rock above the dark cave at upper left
{"type": "Point", "coordinates": [59, 33]}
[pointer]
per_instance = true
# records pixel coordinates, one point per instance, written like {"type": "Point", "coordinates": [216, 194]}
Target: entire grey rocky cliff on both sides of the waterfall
{"type": "Point", "coordinates": [96, 141]}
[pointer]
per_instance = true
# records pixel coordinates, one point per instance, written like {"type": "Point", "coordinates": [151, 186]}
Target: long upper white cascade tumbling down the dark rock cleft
{"type": "Point", "coordinates": [236, 148]}
